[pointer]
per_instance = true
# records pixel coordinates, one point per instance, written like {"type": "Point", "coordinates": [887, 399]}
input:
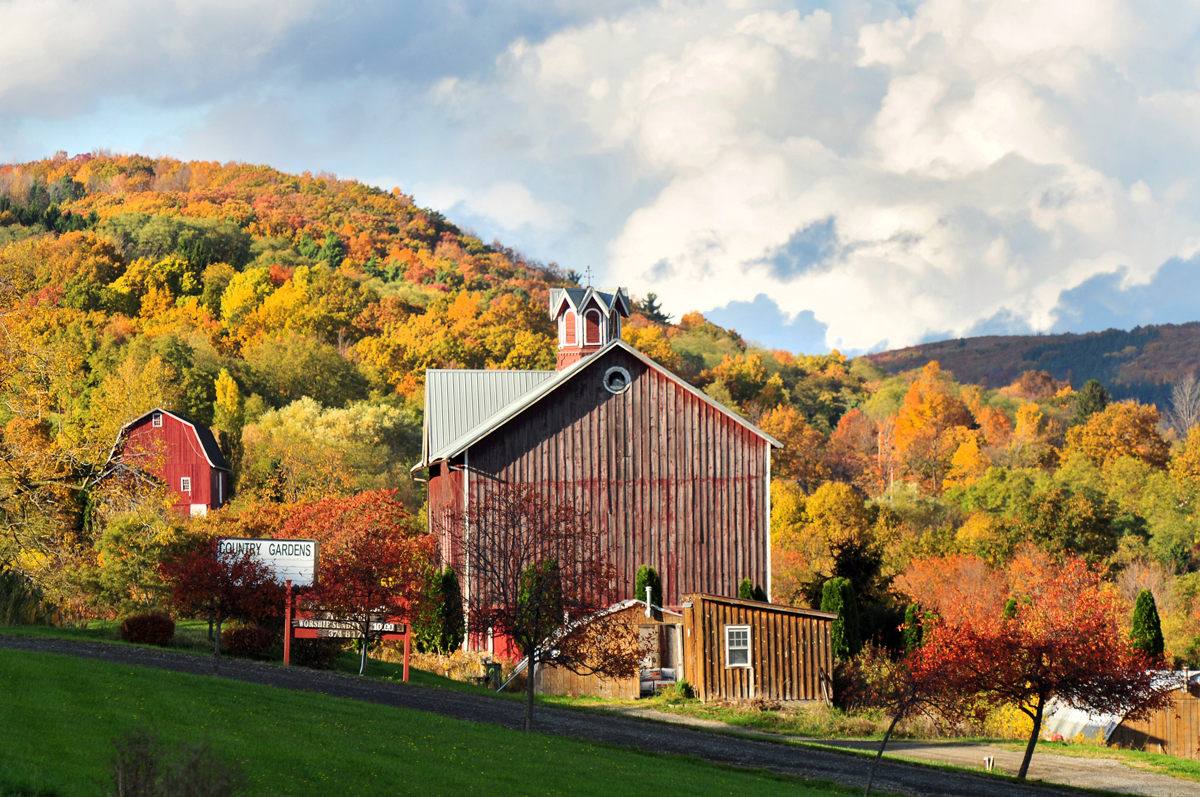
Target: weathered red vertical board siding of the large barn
{"type": "Point", "coordinates": [671, 482]}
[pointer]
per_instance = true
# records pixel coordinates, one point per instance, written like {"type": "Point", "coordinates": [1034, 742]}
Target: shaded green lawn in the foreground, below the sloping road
{"type": "Point", "coordinates": [59, 718]}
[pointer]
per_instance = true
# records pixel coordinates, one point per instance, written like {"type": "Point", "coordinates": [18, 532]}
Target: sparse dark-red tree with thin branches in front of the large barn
{"type": "Point", "coordinates": [537, 574]}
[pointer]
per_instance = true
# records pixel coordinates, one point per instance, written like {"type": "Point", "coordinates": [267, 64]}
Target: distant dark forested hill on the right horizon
{"type": "Point", "coordinates": [1143, 363]}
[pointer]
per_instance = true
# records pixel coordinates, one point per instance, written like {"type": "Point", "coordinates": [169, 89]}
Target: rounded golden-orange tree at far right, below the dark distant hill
{"type": "Point", "coordinates": [1125, 429]}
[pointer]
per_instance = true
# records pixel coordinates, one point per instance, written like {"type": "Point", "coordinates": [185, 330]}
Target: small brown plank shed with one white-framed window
{"type": "Point", "coordinates": [745, 649]}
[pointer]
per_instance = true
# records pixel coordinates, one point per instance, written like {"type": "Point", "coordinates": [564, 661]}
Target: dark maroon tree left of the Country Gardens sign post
{"type": "Point", "coordinates": [221, 586]}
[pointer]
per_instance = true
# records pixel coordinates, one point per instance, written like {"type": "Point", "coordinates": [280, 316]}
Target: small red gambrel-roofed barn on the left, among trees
{"type": "Point", "coordinates": [182, 454]}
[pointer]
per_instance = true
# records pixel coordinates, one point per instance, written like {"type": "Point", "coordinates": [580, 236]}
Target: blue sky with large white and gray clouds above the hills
{"type": "Point", "coordinates": [844, 175]}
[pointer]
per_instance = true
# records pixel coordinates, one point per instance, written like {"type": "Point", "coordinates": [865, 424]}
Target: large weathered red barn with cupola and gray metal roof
{"type": "Point", "coordinates": [673, 478]}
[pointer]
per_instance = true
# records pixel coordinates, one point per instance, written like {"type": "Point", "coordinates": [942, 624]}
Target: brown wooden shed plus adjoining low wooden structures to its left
{"type": "Point", "coordinates": [724, 648]}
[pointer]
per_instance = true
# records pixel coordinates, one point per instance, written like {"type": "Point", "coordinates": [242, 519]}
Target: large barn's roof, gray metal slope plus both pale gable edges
{"type": "Point", "coordinates": [549, 382]}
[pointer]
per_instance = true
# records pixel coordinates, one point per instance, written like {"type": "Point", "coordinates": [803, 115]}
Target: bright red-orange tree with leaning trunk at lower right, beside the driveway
{"type": "Point", "coordinates": [1063, 643]}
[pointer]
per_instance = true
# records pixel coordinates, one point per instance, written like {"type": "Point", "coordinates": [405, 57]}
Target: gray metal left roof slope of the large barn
{"type": "Point", "coordinates": [458, 402]}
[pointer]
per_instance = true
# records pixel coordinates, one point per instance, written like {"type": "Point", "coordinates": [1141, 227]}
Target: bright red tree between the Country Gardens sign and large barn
{"type": "Point", "coordinates": [371, 567]}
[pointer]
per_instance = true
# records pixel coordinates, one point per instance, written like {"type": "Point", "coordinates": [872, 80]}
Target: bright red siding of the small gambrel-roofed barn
{"type": "Point", "coordinates": [173, 453]}
